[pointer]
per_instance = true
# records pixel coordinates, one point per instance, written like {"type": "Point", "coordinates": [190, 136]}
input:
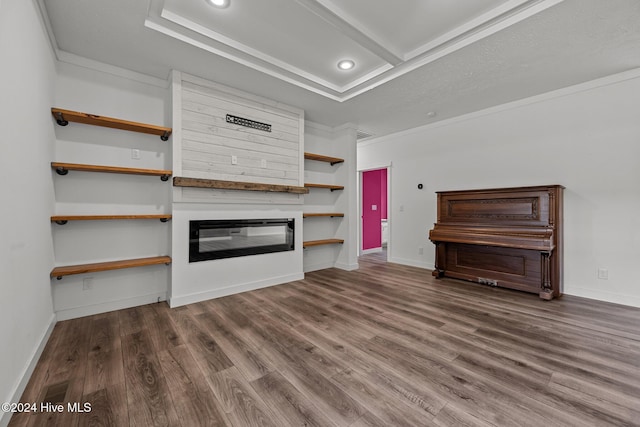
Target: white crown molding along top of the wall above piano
{"type": "Point", "coordinates": [559, 93]}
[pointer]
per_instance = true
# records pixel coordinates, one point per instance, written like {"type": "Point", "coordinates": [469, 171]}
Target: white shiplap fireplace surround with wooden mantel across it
{"type": "Point", "coordinates": [206, 146]}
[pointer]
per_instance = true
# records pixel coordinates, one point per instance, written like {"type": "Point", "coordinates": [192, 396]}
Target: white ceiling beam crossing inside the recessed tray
{"type": "Point", "coordinates": [351, 31]}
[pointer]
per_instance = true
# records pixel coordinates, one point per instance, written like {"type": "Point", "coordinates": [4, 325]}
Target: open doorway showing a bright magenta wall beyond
{"type": "Point", "coordinates": [374, 202]}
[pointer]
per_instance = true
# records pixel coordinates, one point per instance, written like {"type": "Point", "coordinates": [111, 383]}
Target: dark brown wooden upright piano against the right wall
{"type": "Point", "coordinates": [508, 237]}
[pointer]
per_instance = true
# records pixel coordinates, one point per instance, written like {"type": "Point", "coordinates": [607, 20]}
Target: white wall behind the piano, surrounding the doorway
{"type": "Point", "coordinates": [586, 138]}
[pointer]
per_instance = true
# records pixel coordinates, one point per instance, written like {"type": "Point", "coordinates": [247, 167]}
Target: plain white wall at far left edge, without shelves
{"type": "Point", "coordinates": [26, 146]}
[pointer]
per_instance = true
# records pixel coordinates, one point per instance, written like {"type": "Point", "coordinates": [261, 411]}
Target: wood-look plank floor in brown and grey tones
{"type": "Point", "coordinates": [386, 345]}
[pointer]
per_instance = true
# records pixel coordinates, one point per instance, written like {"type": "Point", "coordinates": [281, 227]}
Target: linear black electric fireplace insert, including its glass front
{"type": "Point", "coordinates": [228, 238]}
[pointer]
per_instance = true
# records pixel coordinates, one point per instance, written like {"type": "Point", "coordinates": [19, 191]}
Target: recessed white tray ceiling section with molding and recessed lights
{"type": "Point", "coordinates": [301, 41]}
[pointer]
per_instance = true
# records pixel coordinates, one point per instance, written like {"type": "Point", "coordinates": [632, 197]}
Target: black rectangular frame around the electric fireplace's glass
{"type": "Point", "coordinates": [195, 226]}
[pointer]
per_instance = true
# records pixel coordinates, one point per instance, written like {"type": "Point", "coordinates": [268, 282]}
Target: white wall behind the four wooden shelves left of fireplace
{"type": "Point", "coordinates": [86, 90]}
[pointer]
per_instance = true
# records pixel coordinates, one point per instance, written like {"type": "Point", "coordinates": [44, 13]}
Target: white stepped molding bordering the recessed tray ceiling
{"type": "Point", "coordinates": [187, 31]}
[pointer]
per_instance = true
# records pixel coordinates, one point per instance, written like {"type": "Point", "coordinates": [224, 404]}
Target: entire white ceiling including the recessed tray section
{"type": "Point", "coordinates": [413, 57]}
